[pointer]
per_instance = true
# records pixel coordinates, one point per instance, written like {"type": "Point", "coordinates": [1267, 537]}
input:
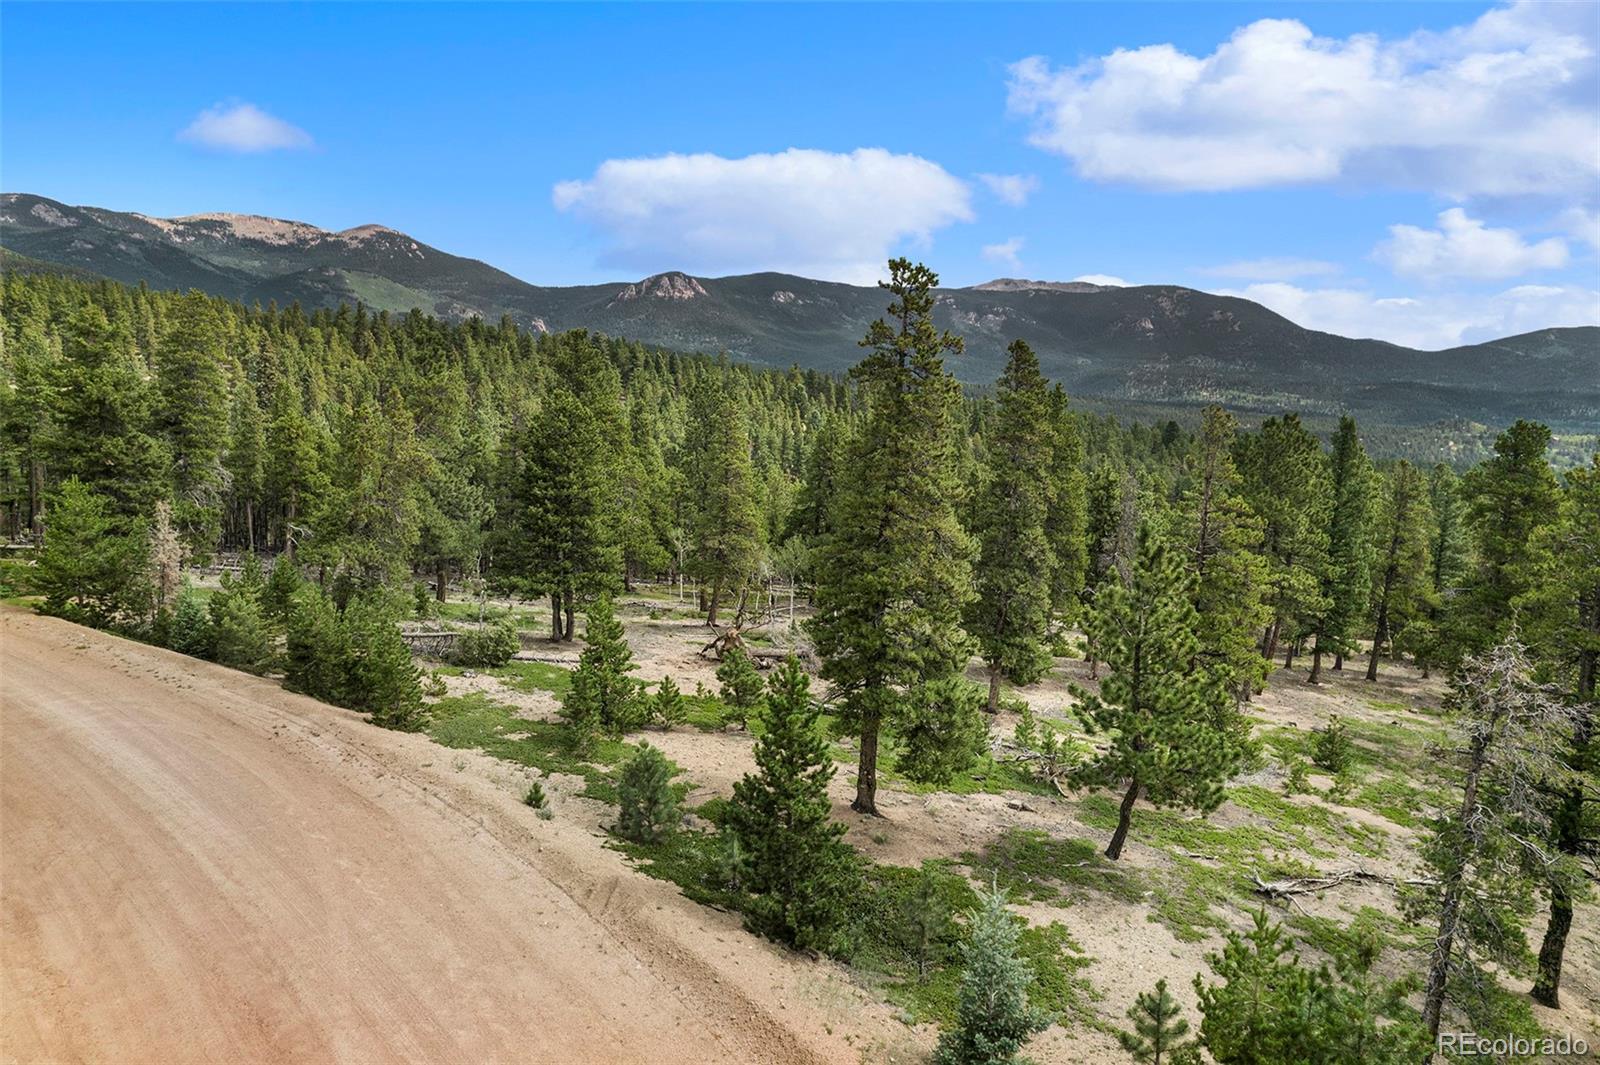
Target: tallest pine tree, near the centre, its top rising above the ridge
{"type": "Point", "coordinates": [895, 575]}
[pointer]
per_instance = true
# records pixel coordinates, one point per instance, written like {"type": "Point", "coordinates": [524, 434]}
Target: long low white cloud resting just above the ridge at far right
{"type": "Point", "coordinates": [1434, 321]}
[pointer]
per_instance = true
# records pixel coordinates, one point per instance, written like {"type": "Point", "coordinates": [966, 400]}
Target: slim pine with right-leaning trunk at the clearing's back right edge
{"type": "Point", "coordinates": [1401, 586]}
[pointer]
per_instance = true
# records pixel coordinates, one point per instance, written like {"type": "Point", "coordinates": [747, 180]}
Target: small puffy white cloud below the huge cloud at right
{"type": "Point", "coordinates": [1465, 247]}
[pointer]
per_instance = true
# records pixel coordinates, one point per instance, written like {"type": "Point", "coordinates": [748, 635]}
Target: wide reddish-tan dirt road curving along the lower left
{"type": "Point", "coordinates": [198, 866]}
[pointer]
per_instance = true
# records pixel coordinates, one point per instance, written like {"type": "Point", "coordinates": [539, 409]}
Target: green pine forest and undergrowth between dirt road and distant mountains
{"type": "Point", "coordinates": [369, 468]}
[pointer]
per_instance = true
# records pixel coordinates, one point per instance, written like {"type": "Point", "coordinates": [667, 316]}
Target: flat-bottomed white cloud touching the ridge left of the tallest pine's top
{"type": "Point", "coordinates": [825, 215]}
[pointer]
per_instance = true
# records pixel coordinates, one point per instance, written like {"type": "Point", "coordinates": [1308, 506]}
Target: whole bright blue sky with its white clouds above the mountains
{"type": "Point", "coordinates": [1260, 150]}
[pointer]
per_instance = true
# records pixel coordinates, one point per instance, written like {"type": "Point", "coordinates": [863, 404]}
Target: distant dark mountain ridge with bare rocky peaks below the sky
{"type": "Point", "coordinates": [1154, 345]}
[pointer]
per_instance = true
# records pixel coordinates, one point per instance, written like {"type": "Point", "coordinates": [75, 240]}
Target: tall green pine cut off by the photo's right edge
{"type": "Point", "coordinates": [1562, 620]}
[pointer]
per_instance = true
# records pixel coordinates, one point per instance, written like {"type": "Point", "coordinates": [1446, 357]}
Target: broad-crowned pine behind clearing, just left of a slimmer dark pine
{"type": "Point", "coordinates": [1287, 485]}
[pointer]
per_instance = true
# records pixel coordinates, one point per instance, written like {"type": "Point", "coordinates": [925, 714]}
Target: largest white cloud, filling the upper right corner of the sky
{"type": "Point", "coordinates": [1505, 106]}
